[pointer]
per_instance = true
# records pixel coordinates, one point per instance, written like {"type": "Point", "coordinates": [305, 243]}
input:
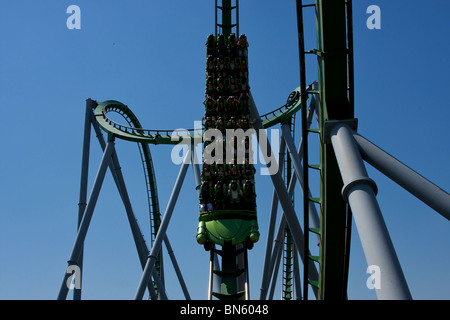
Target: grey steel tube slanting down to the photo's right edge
{"type": "Point", "coordinates": [404, 176]}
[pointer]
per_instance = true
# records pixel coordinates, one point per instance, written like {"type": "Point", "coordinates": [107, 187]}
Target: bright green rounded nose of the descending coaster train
{"type": "Point", "coordinates": [227, 226]}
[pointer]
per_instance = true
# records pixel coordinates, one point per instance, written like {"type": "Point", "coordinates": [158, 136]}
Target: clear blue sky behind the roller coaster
{"type": "Point", "coordinates": [150, 55]}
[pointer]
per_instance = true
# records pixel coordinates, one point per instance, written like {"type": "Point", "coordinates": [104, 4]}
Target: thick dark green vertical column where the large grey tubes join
{"type": "Point", "coordinates": [334, 105]}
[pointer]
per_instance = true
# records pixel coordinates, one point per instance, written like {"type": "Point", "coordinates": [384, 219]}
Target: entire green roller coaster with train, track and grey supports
{"type": "Point", "coordinates": [228, 214]}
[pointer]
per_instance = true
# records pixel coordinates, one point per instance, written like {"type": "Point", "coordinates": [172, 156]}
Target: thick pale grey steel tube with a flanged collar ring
{"type": "Point", "coordinates": [359, 190]}
